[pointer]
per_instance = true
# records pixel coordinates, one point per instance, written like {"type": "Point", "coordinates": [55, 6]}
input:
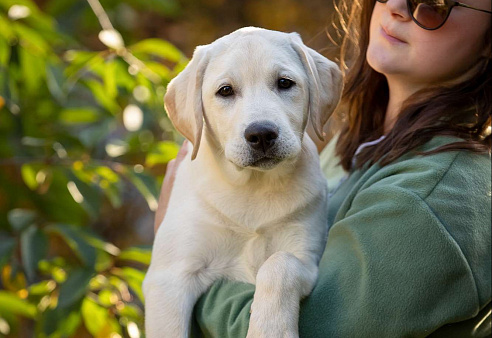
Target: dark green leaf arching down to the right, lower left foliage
{"type": "Point", "coordinates": [76, 241]}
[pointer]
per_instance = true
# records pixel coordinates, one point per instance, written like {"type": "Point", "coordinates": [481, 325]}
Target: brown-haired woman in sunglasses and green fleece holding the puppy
{"type": "Point", "coordinates": [409, 244]}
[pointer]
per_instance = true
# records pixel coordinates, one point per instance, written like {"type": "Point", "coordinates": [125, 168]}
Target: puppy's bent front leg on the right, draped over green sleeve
{"type": "Point", "coordinates": [282, 281]}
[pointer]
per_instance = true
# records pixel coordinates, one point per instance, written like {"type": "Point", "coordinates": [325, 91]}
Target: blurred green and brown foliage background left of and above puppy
{"type": "Point", "coordinates": [84, 143]}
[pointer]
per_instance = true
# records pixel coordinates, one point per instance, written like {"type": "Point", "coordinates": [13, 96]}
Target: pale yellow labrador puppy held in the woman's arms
{"type": "Point", "coordinates": [248, 203]}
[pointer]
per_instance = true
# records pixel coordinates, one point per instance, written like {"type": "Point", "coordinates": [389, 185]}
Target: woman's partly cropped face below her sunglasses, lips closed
{"type": "Point", "coordinates": [400, 49]}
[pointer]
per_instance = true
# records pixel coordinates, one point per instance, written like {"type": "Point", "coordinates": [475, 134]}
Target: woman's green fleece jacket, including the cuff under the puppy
{"type": "Point", "coordinates": [408, 251]}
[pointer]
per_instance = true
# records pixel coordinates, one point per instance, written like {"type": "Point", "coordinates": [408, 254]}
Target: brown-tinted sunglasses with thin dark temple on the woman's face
{"type": "Point", "coordinates": [432, 14]}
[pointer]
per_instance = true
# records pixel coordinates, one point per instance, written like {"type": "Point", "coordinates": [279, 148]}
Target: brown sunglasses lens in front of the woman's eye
{"type": "Point", "coordinates": [429, 14]}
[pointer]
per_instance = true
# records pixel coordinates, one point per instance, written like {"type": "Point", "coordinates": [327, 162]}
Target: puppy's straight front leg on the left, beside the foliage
{"type": "Point", "coordinates": [169, 300]}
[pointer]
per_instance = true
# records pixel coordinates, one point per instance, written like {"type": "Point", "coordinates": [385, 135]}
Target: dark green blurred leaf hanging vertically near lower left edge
{"type": "Point", "coordinates": [34, 246]}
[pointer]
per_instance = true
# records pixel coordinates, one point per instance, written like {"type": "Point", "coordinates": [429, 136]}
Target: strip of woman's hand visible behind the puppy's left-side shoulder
{"type": "Point", "coordinates": [167, 185]}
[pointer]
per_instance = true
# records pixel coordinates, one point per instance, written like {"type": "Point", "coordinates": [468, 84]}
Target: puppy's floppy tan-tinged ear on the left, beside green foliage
{"type": "Point", "coordinates": [183, 99]}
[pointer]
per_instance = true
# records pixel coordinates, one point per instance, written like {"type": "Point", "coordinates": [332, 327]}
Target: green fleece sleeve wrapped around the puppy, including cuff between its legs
{"type": "Point", "coordinates": [390, 269]}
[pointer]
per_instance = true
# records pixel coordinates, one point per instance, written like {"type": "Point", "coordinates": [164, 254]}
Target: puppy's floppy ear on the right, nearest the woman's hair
{"type": "Point", "coordinates": [325, 84]}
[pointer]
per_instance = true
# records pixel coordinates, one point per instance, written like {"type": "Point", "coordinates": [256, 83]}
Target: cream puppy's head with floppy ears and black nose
{"type": "Point", "coordinates": [256, 90]}
